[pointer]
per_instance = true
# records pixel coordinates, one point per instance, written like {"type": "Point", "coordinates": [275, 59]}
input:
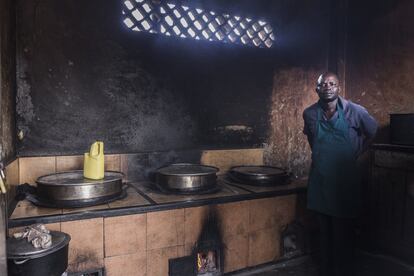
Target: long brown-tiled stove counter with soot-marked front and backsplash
{"type": "Point", "coordinates": [137, 235]}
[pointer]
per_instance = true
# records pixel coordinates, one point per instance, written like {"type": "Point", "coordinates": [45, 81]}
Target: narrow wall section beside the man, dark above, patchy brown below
{"type": "Point", "coordinates": [304, 54]}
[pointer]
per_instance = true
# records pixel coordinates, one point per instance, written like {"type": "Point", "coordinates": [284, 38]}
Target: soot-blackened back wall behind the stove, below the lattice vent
{"type": "Point", "coordinates": [82, 75]}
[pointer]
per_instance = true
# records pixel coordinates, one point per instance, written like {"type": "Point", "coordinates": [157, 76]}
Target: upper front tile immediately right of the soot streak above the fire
{"type": "Point", "coordinates": [234, 218]}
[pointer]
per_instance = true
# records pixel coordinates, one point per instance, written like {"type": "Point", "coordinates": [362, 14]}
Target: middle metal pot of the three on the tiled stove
{"type": "Point", "coordinates": [186, 178]}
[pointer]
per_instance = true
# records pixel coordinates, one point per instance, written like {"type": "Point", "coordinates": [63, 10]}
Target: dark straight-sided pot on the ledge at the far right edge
{"type": "Point", "coordinates": [402, 129]}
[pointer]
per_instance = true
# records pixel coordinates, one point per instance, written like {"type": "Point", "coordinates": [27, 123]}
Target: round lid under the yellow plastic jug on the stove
{"type": "Point", "coordinates": [76, 178]}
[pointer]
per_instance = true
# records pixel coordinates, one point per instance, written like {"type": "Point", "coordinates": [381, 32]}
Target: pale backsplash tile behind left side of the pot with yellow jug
{"type": "Point", "coordinates": [33, 167]}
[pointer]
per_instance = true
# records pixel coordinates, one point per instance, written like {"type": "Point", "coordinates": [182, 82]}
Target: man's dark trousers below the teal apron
{"type": "Point", "coordinates": [336, 246]}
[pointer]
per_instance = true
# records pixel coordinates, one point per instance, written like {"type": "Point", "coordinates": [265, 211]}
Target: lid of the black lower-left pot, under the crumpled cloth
{"type": "Point", "coordinates": [21, 248]}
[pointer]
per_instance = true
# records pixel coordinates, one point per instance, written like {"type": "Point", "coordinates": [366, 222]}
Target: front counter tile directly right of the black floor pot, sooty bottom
{"type": "Point", "coordinates": [86, 245]}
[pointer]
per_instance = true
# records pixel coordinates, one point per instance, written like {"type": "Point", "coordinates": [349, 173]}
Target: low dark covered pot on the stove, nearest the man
{"type": "Point", "coordinates": [259, 175]}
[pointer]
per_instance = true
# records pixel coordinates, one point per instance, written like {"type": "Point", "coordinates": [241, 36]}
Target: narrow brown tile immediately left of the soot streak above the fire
{"type": "Point", "coordinates": [193, 223]}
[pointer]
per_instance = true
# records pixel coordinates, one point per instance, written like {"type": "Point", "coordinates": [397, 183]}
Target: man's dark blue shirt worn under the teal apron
{"type": "Point", "coordinates": [362, 126]}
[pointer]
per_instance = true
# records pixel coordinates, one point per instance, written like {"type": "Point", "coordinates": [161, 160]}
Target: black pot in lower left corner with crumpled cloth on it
{"type": "Point", "coordinates": [23, 259]}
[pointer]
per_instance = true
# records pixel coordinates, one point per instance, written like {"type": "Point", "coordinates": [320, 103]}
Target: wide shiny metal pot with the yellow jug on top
{"type": "Point", "coordinates": [67, 189]}
